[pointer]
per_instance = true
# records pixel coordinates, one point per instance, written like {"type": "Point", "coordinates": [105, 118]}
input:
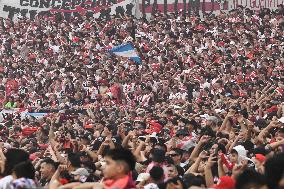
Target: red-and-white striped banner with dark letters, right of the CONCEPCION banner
{"type": "Point", "coordinates": [176, 6]}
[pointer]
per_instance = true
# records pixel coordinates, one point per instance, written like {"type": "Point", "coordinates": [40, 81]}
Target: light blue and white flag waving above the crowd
{"type": "Point", "coordinates": [126, 50]}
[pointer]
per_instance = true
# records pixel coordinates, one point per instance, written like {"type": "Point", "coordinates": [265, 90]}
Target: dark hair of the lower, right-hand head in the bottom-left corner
{"type": "Point", "coordinates": [25, 169]}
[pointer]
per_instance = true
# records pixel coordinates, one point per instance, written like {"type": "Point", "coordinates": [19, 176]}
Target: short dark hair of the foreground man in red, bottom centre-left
{"type": "Point", "coordinates": [121, 154]}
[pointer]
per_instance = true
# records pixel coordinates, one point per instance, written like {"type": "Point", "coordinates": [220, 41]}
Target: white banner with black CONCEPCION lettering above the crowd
{"type": "Point", "coordinates": [64, 9]}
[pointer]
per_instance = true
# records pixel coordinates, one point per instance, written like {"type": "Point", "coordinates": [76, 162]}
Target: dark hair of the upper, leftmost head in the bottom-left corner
{"type": "Point", "coordinates": [14, 157]}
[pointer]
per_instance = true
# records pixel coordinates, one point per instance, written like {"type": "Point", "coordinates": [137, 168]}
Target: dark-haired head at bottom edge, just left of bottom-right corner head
{"type": "Point", "coordinates": [250, 178]}
